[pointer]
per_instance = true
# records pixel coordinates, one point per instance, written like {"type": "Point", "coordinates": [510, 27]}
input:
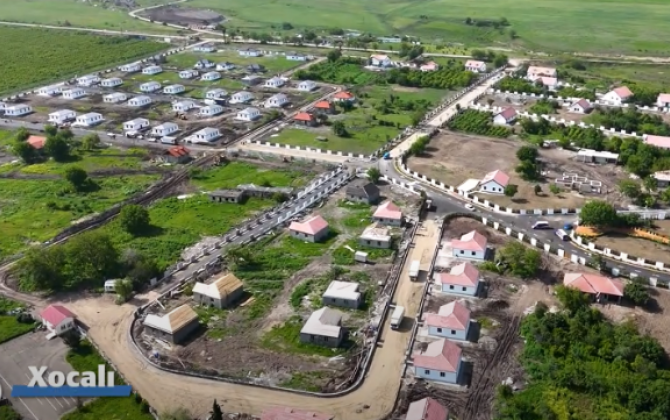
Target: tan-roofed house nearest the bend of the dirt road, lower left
{"type": "Point", "coordinates": [173, 327]}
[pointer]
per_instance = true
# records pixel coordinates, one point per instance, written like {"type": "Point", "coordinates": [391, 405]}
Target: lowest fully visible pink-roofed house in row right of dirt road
{"type": "Point", "coordinates": [440, 361]}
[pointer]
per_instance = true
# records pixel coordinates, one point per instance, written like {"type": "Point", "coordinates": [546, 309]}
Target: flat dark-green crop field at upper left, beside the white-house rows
{"type": "Point", "coordinates": [56, 55]}
